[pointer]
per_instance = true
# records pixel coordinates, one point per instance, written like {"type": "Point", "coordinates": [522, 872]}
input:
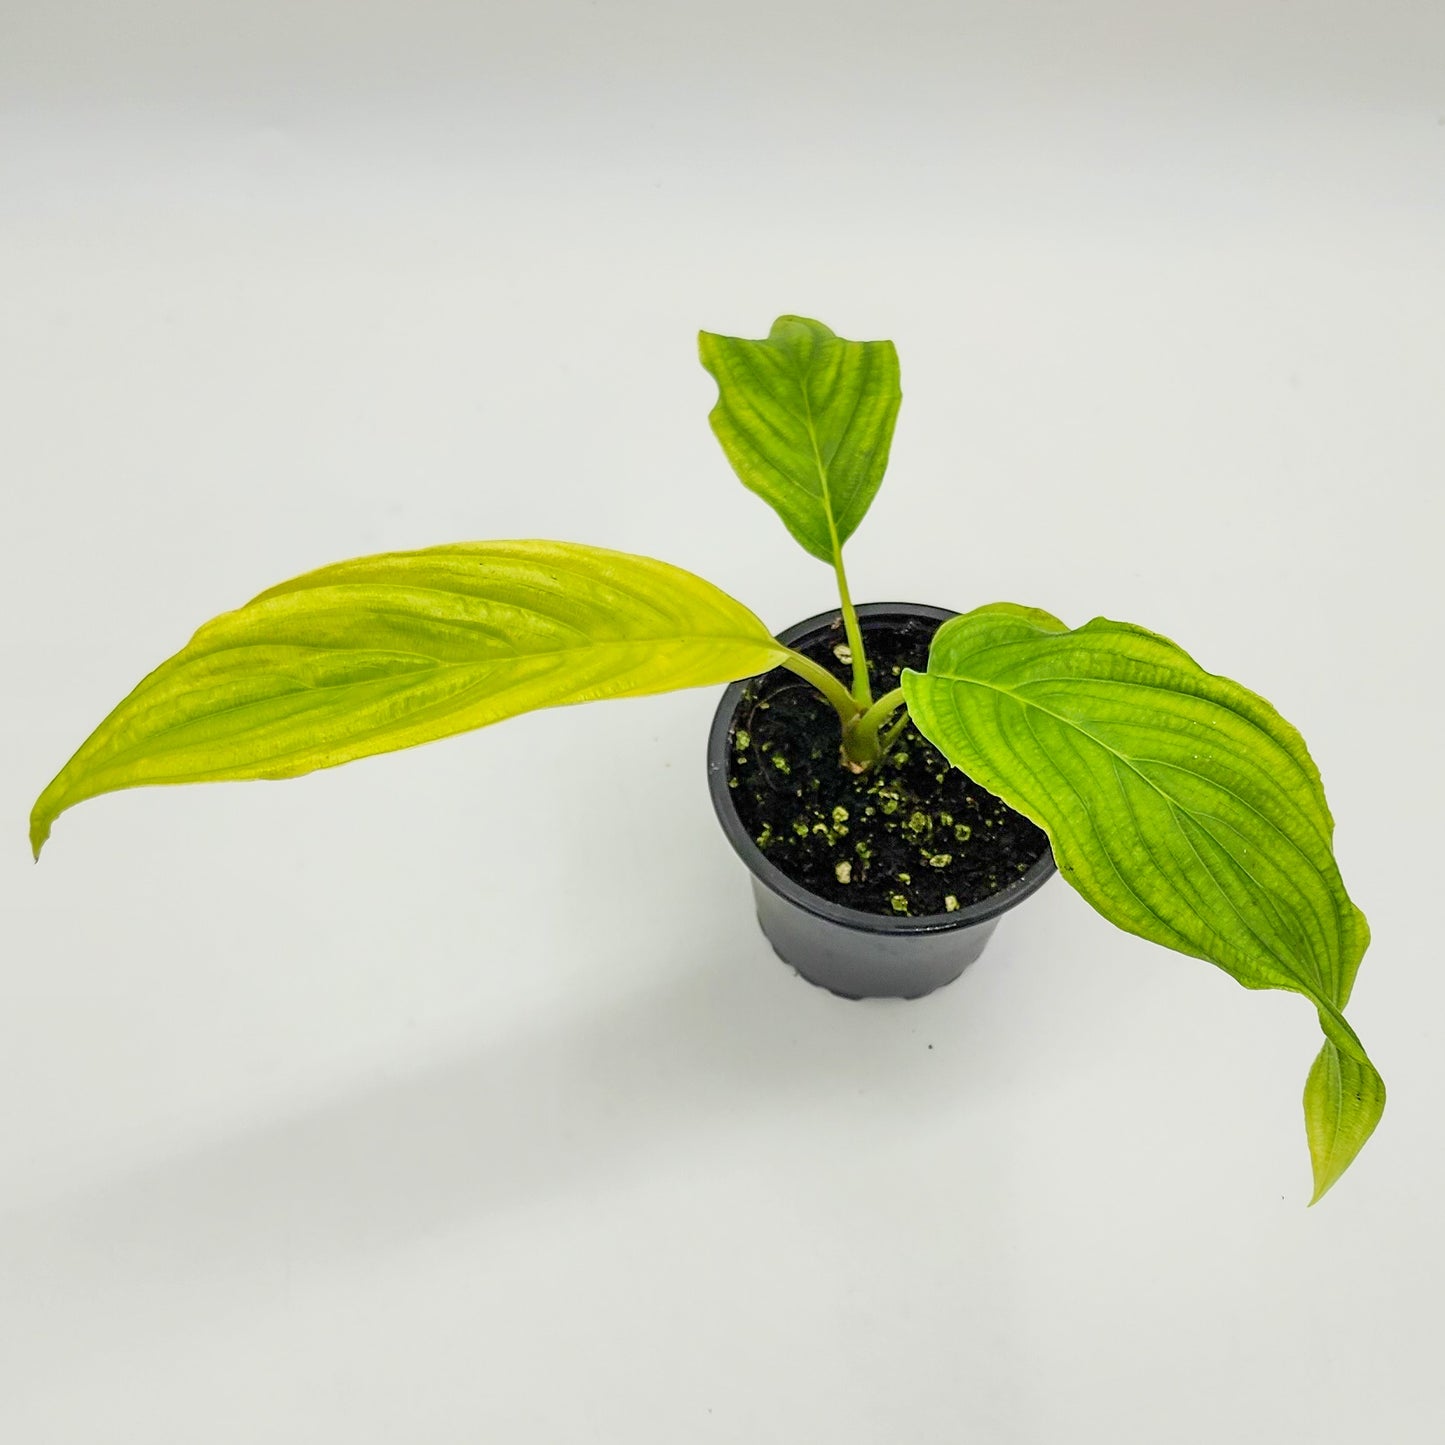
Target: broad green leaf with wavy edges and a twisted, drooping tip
{"type": "Point", "coordinates": [1180, 804]}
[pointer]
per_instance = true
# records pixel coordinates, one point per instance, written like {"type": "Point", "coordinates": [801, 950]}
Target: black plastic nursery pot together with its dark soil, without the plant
{"type": "Point", "coordinates": [947, 858]}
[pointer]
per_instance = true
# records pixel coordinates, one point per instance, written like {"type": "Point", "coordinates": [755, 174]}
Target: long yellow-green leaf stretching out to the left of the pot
{"type": "Point", "coordinates": [392, 651]}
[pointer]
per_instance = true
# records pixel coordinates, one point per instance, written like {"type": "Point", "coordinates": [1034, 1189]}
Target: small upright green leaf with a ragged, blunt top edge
{"type": "Point", "coordinates": [807, 421]}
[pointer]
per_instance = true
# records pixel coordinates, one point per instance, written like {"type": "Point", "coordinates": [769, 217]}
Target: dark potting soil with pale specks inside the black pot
{"type": "Point", "coordinates": [914, 836]}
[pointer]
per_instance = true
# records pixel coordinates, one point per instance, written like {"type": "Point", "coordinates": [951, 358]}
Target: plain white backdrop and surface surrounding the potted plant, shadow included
{"type": "Point", "coordinates": [454, 1096]}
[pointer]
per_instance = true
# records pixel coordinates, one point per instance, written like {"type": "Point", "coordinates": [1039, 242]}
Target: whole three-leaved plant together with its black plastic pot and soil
{"type": "Point", "coordinates": [895, 777]}
